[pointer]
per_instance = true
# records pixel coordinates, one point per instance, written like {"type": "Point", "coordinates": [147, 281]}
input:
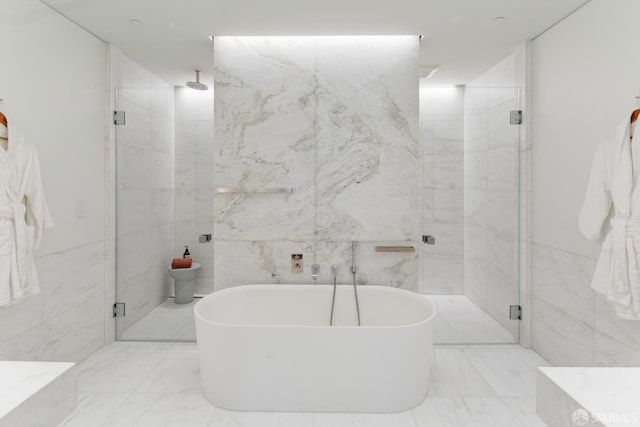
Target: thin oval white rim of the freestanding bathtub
{"type": "Point", "coordinates": [240, 288]}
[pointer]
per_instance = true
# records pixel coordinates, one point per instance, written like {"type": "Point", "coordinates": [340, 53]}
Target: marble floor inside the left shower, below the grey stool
{"type": "Point", "coordinates": [167, 322]}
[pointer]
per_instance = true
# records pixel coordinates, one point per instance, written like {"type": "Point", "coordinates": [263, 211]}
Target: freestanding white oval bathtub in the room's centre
{"type": "Point", "coordinates": [270, 348]}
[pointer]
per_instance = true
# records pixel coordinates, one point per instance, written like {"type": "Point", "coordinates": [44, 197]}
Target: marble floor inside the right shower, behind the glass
{"type": "Point", "coordinates": [460, 321]}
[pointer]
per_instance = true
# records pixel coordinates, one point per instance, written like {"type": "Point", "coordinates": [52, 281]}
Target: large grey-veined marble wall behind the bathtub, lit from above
{"type": "Point", "coordinates": [339, 124]}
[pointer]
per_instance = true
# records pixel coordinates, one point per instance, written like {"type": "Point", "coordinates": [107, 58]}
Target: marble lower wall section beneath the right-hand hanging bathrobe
{"type": "Point", "coordinates": [573, 325]}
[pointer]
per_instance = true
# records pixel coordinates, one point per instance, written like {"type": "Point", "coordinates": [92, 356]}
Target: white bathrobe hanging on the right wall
{"type": "Point", "coordinates": [612, 209]}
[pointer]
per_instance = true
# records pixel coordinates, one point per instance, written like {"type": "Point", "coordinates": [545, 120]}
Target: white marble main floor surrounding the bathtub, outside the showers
{"type": "Point", "coordinates": [158, 384]}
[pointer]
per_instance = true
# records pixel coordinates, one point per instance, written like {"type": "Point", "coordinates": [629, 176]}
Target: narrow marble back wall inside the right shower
{"type": "Point", "coordinates": [442, 129]}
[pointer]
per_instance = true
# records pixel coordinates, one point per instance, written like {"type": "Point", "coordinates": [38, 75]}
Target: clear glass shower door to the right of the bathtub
{"type": "Point", "coordinates": [472, 207]}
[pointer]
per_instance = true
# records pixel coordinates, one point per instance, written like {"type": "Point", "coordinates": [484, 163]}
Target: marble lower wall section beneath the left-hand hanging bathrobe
{"type": "Point", "coordinates": [66, 322]}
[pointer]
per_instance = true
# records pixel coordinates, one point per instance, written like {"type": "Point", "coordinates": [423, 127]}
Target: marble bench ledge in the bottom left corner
{"type": "Point", "coordinates": [36, 393]}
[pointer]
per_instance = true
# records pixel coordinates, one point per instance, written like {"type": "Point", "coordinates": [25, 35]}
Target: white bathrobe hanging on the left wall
{"type": "Point", "coordinates": [23, 217]}
